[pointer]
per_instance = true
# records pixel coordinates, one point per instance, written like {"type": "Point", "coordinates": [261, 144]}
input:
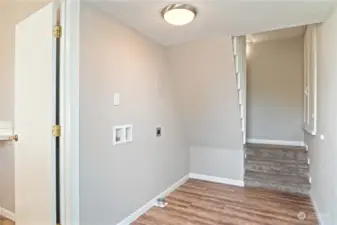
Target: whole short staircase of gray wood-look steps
{"type": "Point", "coordinates": [282, 168]}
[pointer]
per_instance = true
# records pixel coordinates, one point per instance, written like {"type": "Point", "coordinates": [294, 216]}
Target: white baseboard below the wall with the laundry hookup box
{"type": "Point", "coordinates": [152, 202]}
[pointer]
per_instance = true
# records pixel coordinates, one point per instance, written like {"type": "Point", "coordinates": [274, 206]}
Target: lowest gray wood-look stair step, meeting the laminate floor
{"type": "Point", "coordinates": [292, 184]}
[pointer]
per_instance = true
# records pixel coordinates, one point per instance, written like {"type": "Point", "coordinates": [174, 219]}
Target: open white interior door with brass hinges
{"type": "Point", "coordinates": [34, 116]}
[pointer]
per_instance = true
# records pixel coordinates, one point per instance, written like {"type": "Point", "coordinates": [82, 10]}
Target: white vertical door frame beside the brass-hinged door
{"type": "Point", "coordinates": [69, 159]}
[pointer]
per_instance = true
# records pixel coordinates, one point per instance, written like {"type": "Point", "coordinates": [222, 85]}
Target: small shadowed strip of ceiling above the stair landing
{"type": "Point", "coordinates": [276, 34]}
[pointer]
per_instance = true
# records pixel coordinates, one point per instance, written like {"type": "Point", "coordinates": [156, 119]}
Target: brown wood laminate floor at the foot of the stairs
{"type": "Point", "coordinates": [206, 203]}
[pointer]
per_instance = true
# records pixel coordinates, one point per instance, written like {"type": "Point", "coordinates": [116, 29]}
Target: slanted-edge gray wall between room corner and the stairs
{"type": "Point", "coordinates": [204, 81]}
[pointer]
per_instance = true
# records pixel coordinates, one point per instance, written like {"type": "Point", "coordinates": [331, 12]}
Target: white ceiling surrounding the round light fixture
{"type": "Point", "coordinates": [216, 17]}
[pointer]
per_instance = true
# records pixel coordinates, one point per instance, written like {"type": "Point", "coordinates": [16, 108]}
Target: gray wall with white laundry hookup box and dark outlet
{"type": "Point", "coordinates": [116, 181]}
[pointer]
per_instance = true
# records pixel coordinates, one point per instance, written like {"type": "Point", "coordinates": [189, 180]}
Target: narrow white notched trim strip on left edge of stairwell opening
{"type": "Point", "coordinates": [239, 50]}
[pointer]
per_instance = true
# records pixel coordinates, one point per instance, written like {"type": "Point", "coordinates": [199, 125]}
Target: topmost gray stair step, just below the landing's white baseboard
{"type": "Point", "coordinates": [282, 154]}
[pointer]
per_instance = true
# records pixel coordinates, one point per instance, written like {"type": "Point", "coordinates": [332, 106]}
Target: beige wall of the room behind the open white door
{"type": "Point", "coordinates": [10, 13]}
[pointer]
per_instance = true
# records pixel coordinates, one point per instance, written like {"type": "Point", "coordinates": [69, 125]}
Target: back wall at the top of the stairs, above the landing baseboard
{"type": "Point", "coordinates": [275, 90]}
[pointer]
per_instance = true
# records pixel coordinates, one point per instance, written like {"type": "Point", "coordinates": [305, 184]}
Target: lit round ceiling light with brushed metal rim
{"type": "Point", "coordinates": [179, 14]}
